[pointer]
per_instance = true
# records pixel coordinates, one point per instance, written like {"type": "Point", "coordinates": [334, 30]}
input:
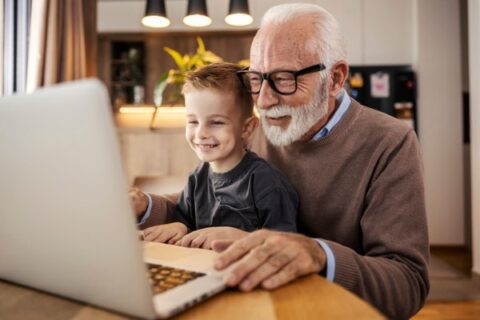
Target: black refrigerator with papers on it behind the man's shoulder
{"type": "Point", "coordinates": [390, 89]}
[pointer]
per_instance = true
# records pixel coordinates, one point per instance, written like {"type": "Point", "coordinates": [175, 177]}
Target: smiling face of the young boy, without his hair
{"type": "Point", "coordinates": [214, 128]}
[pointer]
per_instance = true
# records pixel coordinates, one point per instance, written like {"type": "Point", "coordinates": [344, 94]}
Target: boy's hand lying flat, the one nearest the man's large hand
{"type": "Point", "coordinates": [203, 238]}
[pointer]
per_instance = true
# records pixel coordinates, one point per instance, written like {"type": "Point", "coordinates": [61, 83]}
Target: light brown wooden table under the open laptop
{"type": "Point", "coordinates": [311, 297]}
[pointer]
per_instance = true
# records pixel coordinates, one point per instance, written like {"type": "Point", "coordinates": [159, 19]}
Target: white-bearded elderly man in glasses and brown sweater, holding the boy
{"type": "Point", "coordinates": [358, 173]}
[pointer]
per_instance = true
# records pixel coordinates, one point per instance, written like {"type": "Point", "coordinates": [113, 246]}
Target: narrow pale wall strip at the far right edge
{"type": "Point", "coordinates": [474, 65]}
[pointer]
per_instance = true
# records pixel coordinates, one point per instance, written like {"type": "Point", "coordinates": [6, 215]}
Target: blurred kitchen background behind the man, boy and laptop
{"type": "Point", "coordinates": [413, 59]}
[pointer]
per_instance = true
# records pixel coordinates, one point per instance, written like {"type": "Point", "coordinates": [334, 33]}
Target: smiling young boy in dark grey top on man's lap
{"type": "Point", "coordinates": [232, 191]}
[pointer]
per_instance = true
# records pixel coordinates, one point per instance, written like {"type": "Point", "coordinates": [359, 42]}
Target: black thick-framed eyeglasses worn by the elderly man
{"type": "Point", "coordinates": [281, 81]}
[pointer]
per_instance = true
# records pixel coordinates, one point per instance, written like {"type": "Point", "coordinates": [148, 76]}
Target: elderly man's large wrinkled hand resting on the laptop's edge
{"type": "Point", "coordinates": [268, 258]}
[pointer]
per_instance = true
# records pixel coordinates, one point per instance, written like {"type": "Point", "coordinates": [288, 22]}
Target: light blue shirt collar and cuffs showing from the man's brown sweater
{"type": "Point", "coordinates": [344, 103]}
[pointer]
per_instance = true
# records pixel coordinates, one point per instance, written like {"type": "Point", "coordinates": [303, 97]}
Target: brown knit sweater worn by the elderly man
{"type": "Point", "coordinates": [361, 190]}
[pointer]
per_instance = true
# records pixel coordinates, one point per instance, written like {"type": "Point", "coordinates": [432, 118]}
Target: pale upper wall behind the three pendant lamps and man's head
{"type": "Point", "coordinates": [374, 46]}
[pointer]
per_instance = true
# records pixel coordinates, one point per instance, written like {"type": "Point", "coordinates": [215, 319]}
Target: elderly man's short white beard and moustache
{"type": "Point", "coordinates": [303, 118]}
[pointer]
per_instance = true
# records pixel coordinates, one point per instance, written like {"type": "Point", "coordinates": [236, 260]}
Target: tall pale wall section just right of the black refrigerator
{"type": "Point", "coordinates": [440, 117]}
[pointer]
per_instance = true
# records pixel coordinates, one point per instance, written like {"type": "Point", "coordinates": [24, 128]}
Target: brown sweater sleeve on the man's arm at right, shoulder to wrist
{"type": "Point", "coordinates": [392, 272]}
